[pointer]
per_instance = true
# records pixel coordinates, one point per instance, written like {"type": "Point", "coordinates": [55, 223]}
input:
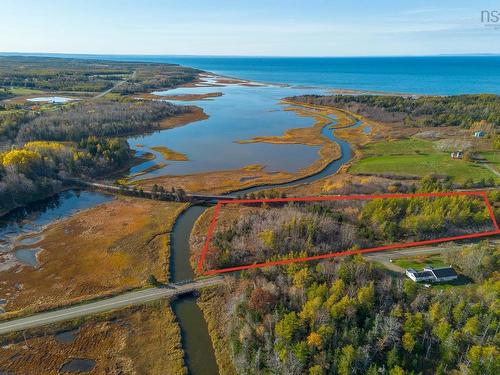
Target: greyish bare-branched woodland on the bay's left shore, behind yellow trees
{"type": "Point", "coordinates": [100, 118]}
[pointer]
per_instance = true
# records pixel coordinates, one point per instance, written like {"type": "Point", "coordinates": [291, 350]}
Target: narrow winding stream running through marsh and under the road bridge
{"type": "Point", "coordinates": [199, 353]}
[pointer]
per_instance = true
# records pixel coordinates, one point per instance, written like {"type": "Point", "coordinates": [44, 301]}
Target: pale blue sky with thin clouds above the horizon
{"type": "Point", "coordinates": [252, 28]}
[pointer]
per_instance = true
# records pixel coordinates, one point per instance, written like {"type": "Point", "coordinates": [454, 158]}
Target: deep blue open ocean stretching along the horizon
{"type": "Point", "coordinates": [437, 75]}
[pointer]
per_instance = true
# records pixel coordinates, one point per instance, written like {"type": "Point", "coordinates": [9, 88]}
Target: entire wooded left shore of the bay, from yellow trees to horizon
{"type": "Point", "coordinates": [41, 145]}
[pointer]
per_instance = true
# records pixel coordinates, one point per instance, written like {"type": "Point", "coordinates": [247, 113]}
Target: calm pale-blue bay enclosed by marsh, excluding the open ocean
{"type": "Point", "coordinates": [241, 113]}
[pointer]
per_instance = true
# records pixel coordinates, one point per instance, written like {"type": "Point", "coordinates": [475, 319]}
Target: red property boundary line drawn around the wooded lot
{"type": "Point", "coordinates": [349, 252]}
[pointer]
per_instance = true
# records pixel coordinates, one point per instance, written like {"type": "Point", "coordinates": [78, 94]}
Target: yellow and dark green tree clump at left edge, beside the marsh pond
{"type": "Point", "coordinates": [37, 170]}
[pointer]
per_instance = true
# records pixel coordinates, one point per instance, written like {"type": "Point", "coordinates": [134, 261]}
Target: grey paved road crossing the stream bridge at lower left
{"type": "Point", "coordinates": [122, 300]}
